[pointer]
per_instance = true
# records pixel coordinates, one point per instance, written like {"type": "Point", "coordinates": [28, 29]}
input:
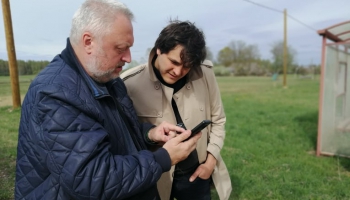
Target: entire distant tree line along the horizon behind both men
{"type": "Point", "coordinates": [237, 58]}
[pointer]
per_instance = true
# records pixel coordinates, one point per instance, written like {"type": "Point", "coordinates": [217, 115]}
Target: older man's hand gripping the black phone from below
{"type": "Point", "coordinates": [179, 150]}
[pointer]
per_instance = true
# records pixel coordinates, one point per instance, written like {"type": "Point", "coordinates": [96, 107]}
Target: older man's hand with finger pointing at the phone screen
{"type": "Point", "coordinates": [164, 132]}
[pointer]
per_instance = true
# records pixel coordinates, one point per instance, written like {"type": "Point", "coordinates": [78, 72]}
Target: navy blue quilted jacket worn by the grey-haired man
{"type": "Point", "coordinates": [74, 144]}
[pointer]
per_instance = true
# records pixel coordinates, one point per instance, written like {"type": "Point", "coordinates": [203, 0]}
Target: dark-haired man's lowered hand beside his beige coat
{"type": "Point", "coordinates": [205, 170]}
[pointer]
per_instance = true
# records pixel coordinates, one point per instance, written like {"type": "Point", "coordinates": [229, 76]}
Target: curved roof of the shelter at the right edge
{"type": "Point", "coordinates": [337, 33]}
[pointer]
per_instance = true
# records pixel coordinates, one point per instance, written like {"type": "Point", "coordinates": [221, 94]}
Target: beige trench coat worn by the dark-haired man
{"type": "Point", "coordinates": [199, 99]}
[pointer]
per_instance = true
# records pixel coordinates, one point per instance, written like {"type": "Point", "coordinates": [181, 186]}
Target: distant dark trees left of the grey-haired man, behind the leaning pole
{"type": "Point", "coordinates": [29, 67]}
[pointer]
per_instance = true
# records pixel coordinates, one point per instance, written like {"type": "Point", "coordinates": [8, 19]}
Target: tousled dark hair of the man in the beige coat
{"type": "Point", "coordinates": [186, 34]}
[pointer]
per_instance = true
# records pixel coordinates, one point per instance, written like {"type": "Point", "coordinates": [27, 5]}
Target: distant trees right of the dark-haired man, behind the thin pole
{"type": "Point", "coordinates": [242, 59]}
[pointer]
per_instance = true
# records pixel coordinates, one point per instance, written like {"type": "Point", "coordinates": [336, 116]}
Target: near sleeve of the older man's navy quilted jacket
{"type": "Point", "coordinates": [75, 148]}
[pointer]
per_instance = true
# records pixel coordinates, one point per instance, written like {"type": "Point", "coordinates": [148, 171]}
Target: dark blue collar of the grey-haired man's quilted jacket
{"type": "Point", "coordinates": [98, 90]}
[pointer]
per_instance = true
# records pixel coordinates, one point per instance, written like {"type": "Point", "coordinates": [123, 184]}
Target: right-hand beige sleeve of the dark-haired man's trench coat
{"type": "Point", "coordinates": [217, 131]}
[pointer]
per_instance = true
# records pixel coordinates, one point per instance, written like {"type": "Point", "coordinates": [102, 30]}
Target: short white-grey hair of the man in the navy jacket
{"type": "Point", "coordinates": [96, 16]}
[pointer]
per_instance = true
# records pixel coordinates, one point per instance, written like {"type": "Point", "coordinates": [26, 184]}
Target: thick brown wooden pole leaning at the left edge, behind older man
{"type": "Point", "coordinates": [16, 97]}
